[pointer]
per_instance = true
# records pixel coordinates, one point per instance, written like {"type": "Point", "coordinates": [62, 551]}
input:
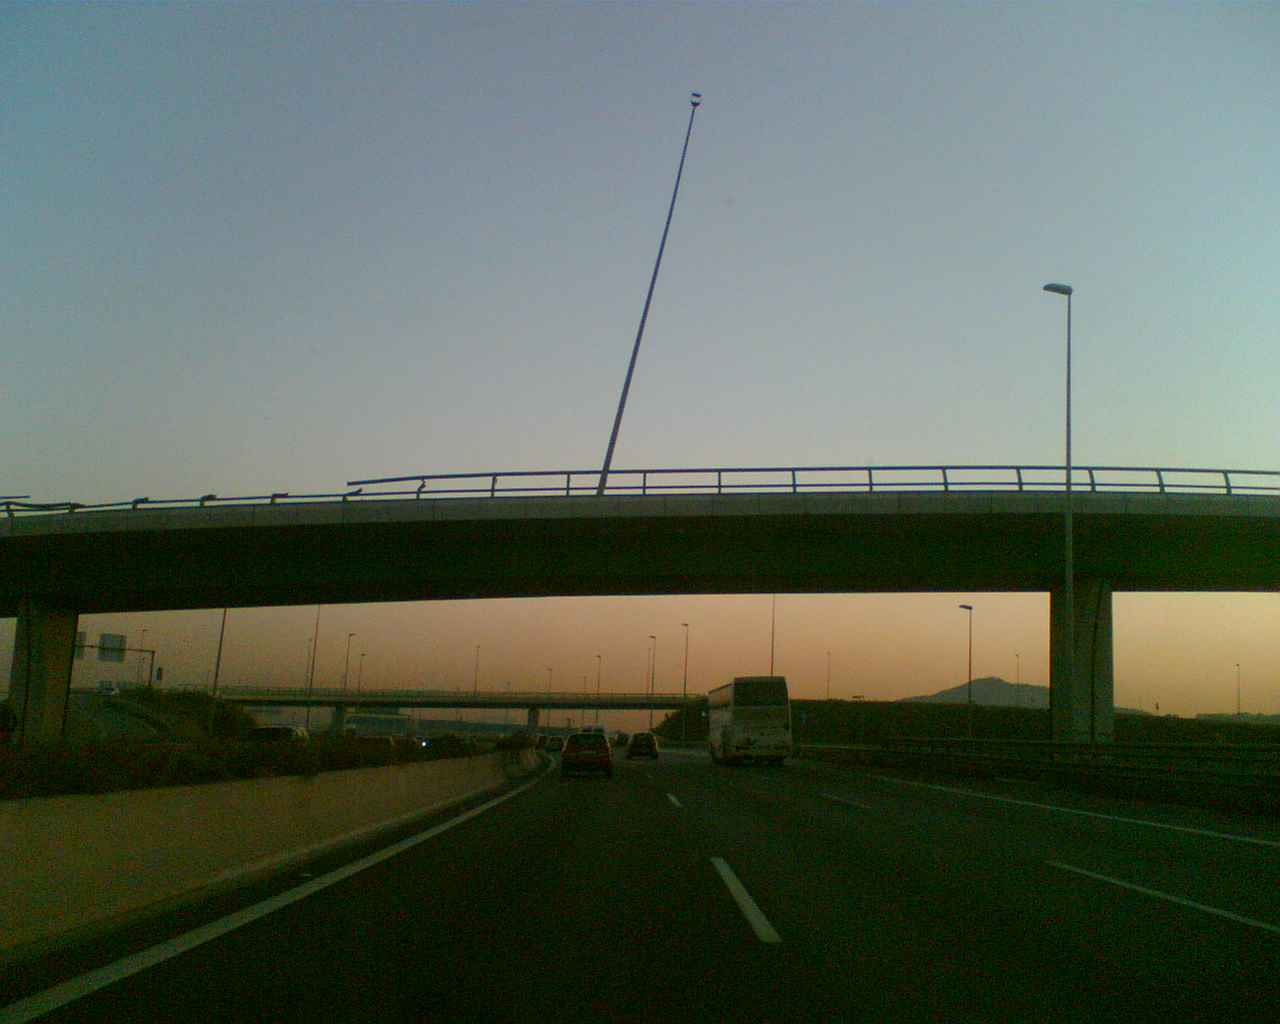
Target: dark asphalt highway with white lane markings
{"type": "Point", "coordinates": [680, 892]}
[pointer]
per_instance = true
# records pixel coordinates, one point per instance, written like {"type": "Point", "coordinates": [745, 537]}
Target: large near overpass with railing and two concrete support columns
{"type": "Point", "coordinates": [653, 532]}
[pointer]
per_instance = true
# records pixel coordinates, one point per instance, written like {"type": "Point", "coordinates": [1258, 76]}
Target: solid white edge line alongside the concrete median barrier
{"type": "Point", "coordinates": [61, 995]}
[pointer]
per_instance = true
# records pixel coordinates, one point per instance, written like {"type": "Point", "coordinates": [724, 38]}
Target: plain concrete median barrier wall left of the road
{"type": "Point", "coordinates": [72, 865]}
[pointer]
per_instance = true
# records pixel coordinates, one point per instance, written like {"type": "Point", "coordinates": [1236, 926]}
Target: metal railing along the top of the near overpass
{"type": "Point", "coordinates": [723, 481]}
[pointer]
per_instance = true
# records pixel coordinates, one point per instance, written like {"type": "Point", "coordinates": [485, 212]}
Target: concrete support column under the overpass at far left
{"type": "Point", "coordinates": [40, 680]}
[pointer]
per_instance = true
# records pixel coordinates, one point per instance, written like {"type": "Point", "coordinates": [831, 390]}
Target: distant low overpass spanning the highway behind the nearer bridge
{"type": "Point", "coordinates": [533, 702]}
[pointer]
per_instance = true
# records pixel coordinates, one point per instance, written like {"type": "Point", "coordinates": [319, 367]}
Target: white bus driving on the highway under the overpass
{"type": "Point", "coordinates": [751, 720]}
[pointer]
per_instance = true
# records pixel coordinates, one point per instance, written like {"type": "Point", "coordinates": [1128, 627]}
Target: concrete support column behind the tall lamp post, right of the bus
{"type": "Point", "coordinates": [1082, 708]}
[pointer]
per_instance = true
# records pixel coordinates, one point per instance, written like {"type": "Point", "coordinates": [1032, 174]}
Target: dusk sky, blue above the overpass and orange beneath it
{"type": "Point", "coordinates": [254, 249]}
